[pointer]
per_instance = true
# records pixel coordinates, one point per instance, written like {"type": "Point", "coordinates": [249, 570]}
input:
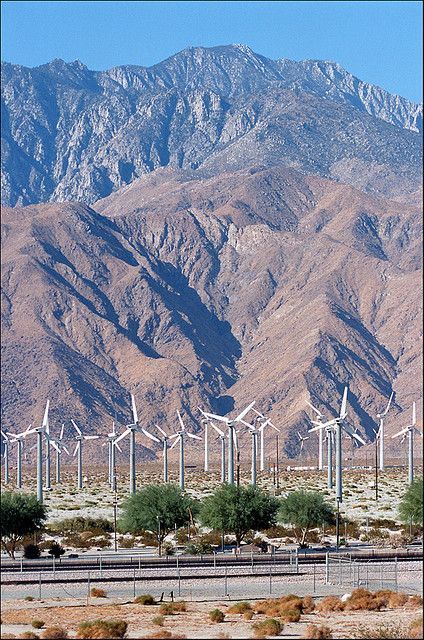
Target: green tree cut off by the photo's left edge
{"type": "Point", "coordinates": [21, 515]}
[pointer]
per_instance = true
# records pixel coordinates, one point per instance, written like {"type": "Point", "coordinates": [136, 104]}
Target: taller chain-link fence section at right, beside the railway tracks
{"type": "Point", "coordinates": [342, 570]}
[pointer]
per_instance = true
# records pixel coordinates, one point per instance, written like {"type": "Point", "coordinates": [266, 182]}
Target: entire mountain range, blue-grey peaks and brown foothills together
{"type": "Point", "coordinates": [217, 228]}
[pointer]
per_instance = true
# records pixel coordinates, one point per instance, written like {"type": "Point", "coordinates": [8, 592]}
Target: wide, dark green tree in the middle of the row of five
{"type": "Point", "coordinates": [236, 509]}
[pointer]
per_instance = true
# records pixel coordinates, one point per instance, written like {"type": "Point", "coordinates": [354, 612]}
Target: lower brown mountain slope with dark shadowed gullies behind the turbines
{"type": "Point", "coordinates": [261, 283]}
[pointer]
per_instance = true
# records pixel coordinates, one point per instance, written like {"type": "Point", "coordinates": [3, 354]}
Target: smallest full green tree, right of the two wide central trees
{"type": "Point", "coordinates": [305, 510]}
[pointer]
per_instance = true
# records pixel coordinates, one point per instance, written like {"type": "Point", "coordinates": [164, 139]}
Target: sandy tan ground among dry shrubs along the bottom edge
{"type": "Point", "coordinates": [194, 623]}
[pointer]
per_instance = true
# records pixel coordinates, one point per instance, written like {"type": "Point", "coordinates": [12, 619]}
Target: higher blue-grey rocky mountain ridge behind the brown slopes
{"type": "Point", "coordinates": [69, 133]}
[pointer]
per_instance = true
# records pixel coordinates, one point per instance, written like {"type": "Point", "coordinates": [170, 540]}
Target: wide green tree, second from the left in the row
{"type": "Point", "coordinates": [157, 508]}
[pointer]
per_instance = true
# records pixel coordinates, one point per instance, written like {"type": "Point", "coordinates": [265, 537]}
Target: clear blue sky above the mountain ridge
{"type": "Point", "coordinates": [380, 42]}
